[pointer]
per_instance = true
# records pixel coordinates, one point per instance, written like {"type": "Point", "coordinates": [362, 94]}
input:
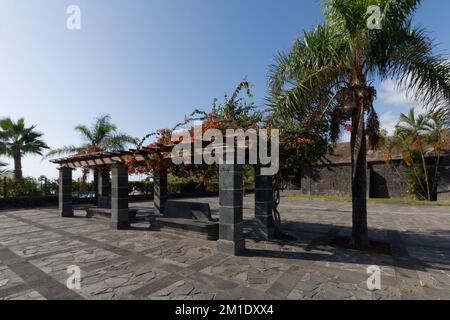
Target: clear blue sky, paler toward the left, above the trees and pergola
{"type": "Point", "coordinates": [148, 63]}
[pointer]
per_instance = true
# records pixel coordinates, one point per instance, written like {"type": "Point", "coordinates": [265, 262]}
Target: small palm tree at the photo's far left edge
{"type": "Point", "coordinates": [16, 140]}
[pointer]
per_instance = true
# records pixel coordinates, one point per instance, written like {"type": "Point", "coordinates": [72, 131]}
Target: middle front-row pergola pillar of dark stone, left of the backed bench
{"type": "Point", "coordinates": [119, 197]}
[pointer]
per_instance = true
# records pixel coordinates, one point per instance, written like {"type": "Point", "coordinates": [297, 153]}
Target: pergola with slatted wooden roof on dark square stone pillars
{"type": "Point", "coordinates": [231, 192]}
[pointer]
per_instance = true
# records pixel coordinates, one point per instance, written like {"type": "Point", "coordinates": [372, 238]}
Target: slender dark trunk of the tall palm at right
{"type": "Point", "coordinates": [360, 234]}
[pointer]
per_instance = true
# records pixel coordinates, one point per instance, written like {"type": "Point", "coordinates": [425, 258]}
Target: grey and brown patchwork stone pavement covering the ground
{"type": "Point", "coordinates": [37, 246]}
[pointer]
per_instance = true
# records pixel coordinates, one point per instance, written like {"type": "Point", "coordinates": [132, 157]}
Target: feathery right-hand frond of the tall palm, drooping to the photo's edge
{"type": "Point", "coordinates": [406, 55]}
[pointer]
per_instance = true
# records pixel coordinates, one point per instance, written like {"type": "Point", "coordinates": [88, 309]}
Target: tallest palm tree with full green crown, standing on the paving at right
{"type": "Point", "coordinates": [328, 76]}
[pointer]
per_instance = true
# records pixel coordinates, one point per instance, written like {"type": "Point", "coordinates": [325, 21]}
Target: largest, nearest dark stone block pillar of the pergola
{"type": "Point", "coordinates": [231, 238]}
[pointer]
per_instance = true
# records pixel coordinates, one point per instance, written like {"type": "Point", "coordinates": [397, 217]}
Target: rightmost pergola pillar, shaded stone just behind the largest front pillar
{"type": "Point", "coordinates": [264, 204]}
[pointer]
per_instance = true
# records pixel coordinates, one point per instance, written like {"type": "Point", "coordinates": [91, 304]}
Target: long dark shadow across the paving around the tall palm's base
{"type": "Point", "coordinates": [410, 250]}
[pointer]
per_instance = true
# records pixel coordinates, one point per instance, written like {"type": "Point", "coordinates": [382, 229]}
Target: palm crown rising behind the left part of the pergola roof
{"type": "Point", "coordinates": [102, 135]}
